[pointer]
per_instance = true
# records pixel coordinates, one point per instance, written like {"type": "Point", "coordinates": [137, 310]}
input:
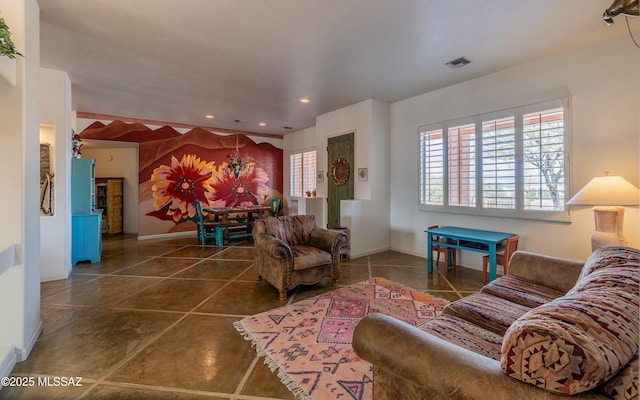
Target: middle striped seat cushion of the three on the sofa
{"type": "Point", "coordinates": [490, 312]}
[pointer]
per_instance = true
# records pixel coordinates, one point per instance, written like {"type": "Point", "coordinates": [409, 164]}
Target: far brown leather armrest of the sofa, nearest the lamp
{"type": "Point", "coordinates": [557, 273]}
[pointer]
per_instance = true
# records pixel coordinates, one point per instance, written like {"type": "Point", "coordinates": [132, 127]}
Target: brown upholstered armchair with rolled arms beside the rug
{"type": "Point", "coordinates": [292, 250]}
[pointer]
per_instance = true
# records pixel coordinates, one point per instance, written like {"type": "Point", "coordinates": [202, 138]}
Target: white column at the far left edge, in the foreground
{"type": "Point", "coordinates": [19, 191]}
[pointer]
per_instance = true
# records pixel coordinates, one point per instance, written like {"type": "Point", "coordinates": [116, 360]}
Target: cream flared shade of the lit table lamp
{"type": "Point", "coordinates": [607, 191]}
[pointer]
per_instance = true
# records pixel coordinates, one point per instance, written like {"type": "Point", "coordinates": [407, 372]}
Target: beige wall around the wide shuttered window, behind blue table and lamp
{"type": "Point", "coordinates": [605, 92]}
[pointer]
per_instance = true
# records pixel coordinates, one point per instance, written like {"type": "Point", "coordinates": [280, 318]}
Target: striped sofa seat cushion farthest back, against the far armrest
{"type": "Point", "coordinates": [521, 291]}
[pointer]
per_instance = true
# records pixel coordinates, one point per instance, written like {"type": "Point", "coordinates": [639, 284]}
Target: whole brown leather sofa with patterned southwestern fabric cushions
{"type": "Point", "coordinates": [548, 329]}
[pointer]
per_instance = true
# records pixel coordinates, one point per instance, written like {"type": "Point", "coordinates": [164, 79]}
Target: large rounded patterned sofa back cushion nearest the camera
{"type": "Point", "coordinates": [573, 343]}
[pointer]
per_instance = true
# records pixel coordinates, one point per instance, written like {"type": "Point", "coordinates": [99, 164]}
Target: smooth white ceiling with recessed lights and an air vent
{"type": "Point", "coordinates": [252, 60]}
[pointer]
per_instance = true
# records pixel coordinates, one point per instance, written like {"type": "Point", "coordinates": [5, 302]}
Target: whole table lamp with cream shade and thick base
{"type": "Point", "coordinates": [607, 194]}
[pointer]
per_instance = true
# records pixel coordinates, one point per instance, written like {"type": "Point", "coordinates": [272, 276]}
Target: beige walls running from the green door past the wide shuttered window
{"type": "Point", "coordinates": [603, 85]}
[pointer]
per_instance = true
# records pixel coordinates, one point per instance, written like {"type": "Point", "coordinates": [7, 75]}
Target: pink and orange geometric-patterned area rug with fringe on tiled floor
{"type": "Point", "coordinates": [309, 342]}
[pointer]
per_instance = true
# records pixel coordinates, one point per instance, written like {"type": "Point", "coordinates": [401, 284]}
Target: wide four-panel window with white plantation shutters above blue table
{"type": "Point", "coordinates": [511, 163]}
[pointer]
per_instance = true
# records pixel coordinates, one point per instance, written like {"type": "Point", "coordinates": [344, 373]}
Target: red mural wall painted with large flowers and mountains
{"type": "Point", "coordinates": [176, 169]}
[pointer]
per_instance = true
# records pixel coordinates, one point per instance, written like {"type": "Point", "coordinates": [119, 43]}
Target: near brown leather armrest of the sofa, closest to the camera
{"type": "Point", "coordinates": [442, 367]}
